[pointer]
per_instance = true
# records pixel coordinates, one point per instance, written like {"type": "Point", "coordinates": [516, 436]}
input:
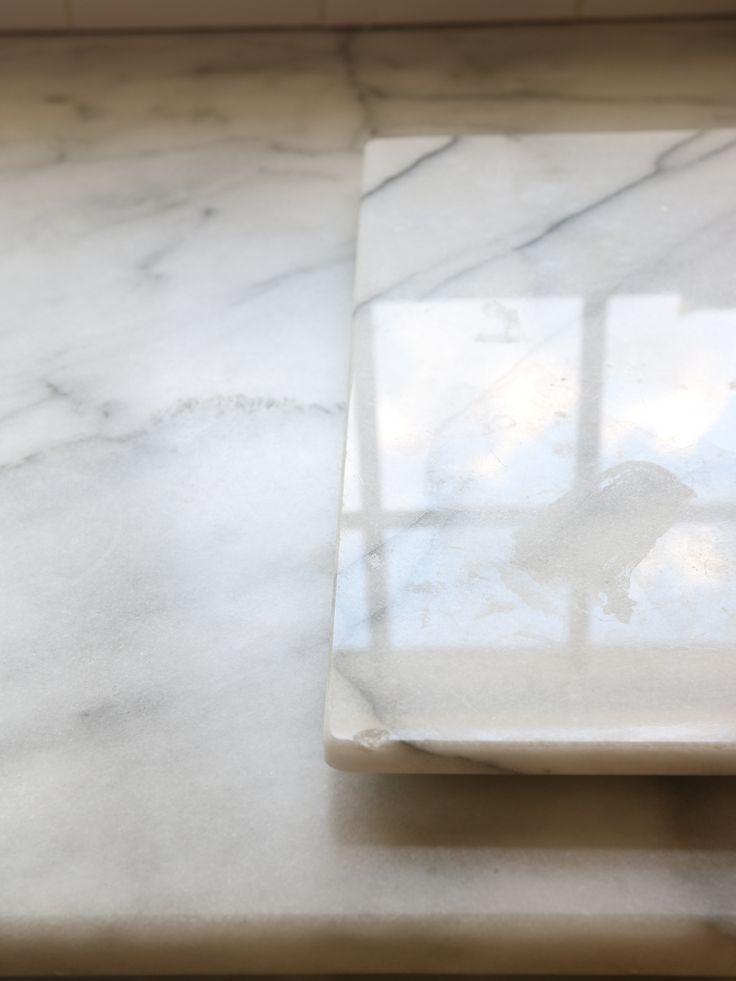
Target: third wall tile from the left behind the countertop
{"type": "Point", "coordinates": [337, 12]}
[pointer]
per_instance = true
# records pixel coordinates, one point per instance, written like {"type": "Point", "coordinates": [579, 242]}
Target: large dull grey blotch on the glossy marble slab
{"type": "Point", "coordinates": [596, 535]}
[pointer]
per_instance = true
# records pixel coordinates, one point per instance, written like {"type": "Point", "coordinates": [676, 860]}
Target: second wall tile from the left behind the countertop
{"type": "Point", "coordinates": [193, 13]}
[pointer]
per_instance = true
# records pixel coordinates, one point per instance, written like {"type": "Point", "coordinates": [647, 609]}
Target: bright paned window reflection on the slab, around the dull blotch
{"type": "Point", "coordinates": [469, 418]}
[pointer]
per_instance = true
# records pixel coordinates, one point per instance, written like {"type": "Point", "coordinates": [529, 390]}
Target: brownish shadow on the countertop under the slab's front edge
{"type": "Point", "coordinates": [534, 812]}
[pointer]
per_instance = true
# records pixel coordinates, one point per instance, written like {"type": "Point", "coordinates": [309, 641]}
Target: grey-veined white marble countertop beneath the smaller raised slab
{"type": "Point", "coordinates": [177, 235]}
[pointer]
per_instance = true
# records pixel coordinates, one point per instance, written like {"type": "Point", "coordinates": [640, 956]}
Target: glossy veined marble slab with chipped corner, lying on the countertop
{"type": "Point", "coordinates": [537, 559]}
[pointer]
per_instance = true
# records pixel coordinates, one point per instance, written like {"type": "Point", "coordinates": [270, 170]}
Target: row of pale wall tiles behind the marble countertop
{"type": "Point", "coordinates": [130, 14]}
